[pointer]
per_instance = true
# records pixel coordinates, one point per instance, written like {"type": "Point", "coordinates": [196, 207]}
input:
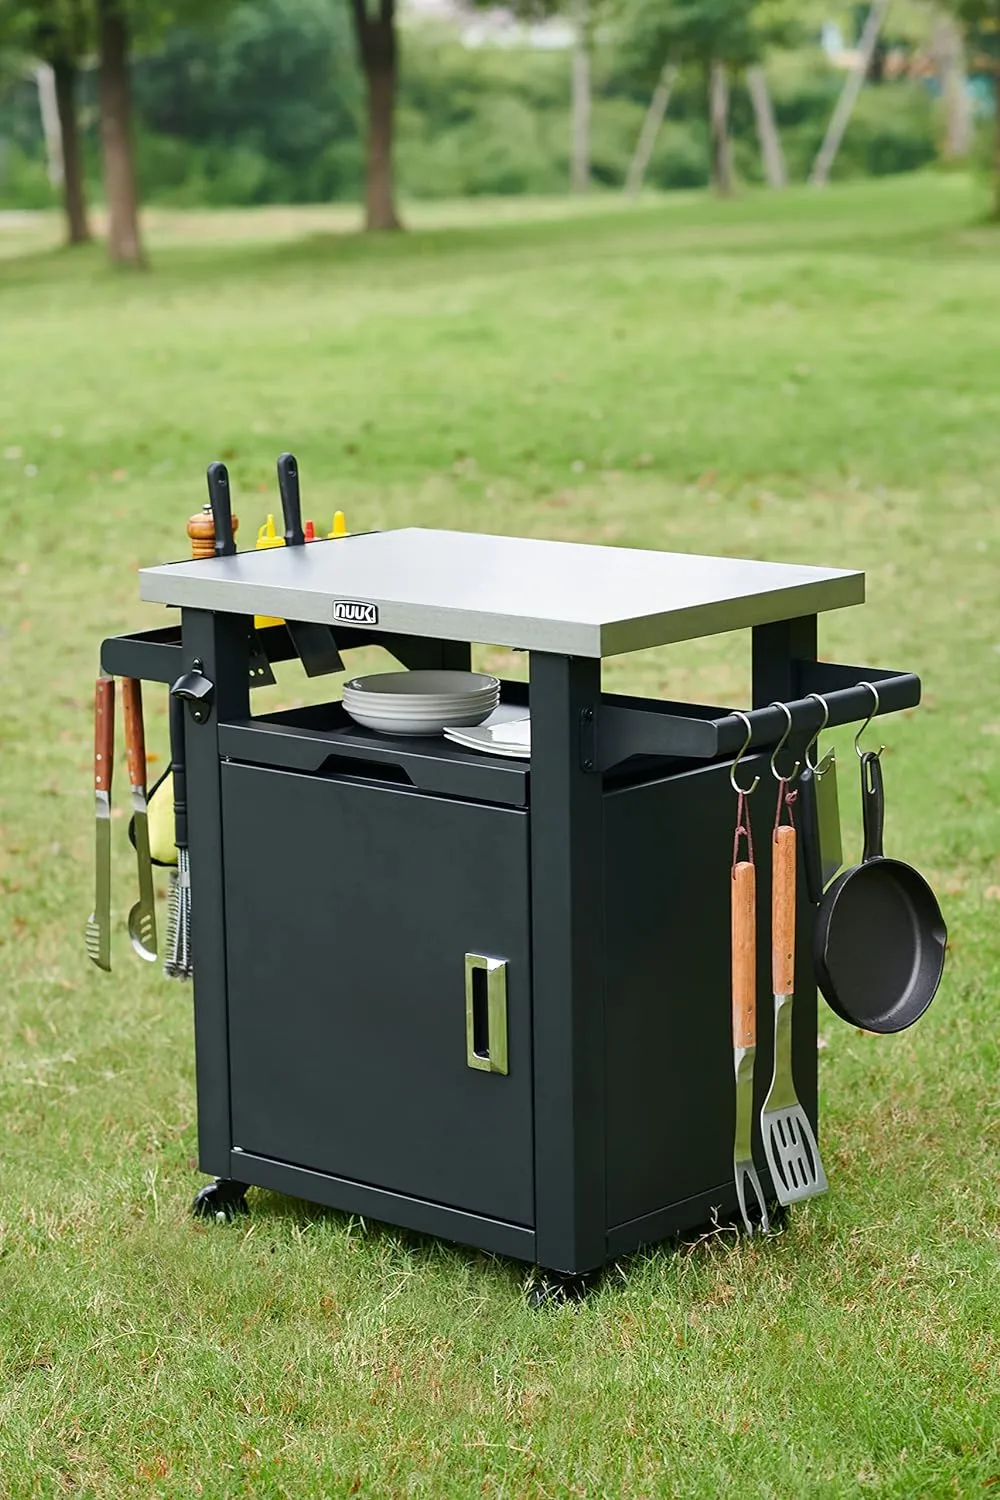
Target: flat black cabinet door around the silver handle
{"type": "Point", "coordinates": [350, 914]}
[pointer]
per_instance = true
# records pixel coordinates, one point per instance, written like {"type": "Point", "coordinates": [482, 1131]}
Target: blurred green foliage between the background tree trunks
{"type": "Point", "coordinates": [266, 107]}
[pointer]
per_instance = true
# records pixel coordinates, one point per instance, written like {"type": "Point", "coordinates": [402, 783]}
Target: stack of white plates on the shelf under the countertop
{"type": "Point", "coordinates": [421, 703]}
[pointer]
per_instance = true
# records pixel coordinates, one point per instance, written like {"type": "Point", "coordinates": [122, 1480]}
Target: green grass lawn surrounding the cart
{"type": "Point", "coordinates": [806, 379]}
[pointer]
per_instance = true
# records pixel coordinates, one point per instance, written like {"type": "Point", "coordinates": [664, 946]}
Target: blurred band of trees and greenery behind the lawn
{"type": "Point", "coordinates": [209, 103]}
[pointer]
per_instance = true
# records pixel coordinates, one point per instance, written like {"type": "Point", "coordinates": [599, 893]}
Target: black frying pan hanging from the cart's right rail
{"type": "Point", "coordinates": [879, 937]}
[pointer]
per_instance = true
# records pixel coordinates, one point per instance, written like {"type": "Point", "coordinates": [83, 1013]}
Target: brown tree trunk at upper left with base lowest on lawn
{"type": "Point", "coordinates": [115, 94]}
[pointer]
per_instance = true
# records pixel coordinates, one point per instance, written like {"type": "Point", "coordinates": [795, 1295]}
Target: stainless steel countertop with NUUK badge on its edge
{"type": "Point", "coordinates": [515, 592]}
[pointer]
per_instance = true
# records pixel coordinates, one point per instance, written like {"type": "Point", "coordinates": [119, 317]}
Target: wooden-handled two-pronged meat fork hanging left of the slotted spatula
{"type": "Point", "coordinates": [744, 998]}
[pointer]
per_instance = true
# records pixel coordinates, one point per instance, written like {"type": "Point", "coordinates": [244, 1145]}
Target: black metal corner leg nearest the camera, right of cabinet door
{"type": "Point", "coordinates": [567, 865]}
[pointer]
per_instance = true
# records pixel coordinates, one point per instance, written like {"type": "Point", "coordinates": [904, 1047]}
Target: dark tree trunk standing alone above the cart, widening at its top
{"type": "Point", "coordinates": [376, 35]}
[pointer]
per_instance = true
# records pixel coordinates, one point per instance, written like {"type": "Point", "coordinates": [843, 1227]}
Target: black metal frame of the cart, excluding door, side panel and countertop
{"type": "Point", "coordinates": [578, 737]}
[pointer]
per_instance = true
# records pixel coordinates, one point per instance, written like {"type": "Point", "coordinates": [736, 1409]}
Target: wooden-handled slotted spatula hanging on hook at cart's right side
{"type": "Point", "coordinates": [794, 1157]}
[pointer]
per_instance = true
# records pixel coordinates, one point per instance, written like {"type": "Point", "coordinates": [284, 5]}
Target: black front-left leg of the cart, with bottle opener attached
{"type": "Point", "coordinates": [221, 644]}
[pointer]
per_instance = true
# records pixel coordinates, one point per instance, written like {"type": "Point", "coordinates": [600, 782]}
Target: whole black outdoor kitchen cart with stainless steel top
{"type": "Point", "coordinates": [476, 997]}
